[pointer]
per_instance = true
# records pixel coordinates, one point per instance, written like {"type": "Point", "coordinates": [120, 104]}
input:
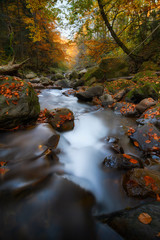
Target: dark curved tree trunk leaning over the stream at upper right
{"type": "Point", "coordinates": [135, 58]}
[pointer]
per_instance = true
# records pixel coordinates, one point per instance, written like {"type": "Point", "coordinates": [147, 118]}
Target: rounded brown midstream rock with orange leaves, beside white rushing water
{"type": "Point", "coordinates": [61, 119]}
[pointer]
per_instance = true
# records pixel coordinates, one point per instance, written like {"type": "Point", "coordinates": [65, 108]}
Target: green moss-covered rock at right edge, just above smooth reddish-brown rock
{"type": "Point", "coordinates": [138, 94]}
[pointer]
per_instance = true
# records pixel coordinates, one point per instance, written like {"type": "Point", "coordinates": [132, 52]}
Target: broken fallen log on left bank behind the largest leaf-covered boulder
{"type": "Point", "coordinates": [11, 68]}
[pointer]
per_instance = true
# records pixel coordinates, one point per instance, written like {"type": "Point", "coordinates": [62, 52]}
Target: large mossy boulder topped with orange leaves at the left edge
{"type": "Point", "coordinates": [20, 106]}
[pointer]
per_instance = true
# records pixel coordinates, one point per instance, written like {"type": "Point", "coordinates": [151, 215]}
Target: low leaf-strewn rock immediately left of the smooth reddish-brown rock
{"type": "Point", "coordinates": [126, 109]}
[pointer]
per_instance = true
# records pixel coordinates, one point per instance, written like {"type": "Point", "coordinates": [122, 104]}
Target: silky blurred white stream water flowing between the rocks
{"type": "Point", "coordinates": [56, 197]}
